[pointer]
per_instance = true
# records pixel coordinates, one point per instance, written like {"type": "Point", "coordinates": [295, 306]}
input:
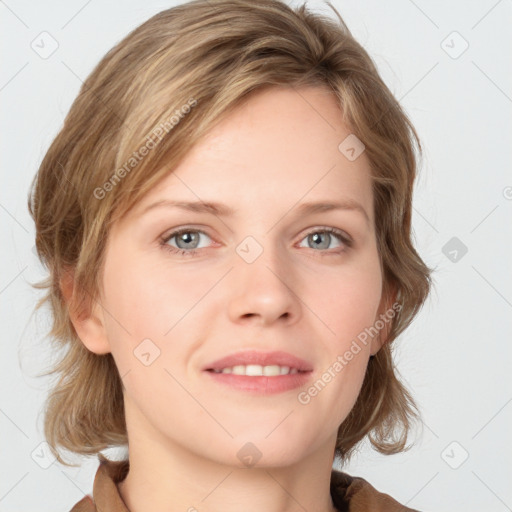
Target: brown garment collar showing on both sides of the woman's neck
{"type": "Point", "coordinates": [349, 494]}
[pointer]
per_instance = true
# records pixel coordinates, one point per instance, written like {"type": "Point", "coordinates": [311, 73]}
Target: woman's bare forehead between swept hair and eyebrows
{"type": "Point", "coordinates": [280, 147]}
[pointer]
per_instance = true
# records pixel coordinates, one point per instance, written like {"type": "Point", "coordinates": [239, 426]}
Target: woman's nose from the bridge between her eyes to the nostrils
{"type": "Point", "coordinates": [262, 282]}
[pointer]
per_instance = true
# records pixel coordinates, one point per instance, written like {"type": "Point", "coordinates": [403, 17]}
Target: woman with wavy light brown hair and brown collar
{"type": "Point", "coordinates": [226, 219]}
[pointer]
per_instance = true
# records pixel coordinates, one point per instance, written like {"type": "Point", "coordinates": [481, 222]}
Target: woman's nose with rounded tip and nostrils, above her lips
{"type": "Point", "coordinates": [264, 291]}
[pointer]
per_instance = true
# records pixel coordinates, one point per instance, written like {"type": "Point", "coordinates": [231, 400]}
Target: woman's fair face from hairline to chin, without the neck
{"type": "Point", "coordinates": [260, 273]}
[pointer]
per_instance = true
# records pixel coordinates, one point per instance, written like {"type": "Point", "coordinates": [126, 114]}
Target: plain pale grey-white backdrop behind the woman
{"type": "Point", "coordinates": [449, 64]}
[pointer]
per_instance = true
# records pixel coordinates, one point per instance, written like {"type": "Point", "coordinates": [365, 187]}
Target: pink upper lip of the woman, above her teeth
{"type": "Point", "coordinates": [245, 357]}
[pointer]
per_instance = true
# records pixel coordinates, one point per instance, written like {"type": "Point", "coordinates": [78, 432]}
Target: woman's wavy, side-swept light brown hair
{"type": "Point", "coordinates": [210, 55]}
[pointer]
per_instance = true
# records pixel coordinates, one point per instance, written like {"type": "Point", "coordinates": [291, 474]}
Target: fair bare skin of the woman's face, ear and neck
{"type": "Point", "coordinates": [276, 151]}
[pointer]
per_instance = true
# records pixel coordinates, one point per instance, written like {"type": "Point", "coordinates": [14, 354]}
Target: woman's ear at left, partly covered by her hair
{"type": "Point", "coordinates": [88, 321]}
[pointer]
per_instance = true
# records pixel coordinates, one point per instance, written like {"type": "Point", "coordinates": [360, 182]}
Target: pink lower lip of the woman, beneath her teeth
{"type": "Point", "coordinates": [262, 385]}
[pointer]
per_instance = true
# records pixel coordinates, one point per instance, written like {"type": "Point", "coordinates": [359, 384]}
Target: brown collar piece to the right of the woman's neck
{"type": "Point", "coordinates": [355, 494]}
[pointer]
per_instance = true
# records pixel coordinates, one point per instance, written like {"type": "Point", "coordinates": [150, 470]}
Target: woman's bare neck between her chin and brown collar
{"type": "Point", "coordinates": [165, 476]}
